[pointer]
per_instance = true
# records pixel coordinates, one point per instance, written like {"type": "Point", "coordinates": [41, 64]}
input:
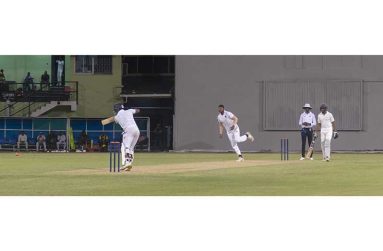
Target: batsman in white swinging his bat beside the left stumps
{"type": "Point", "coordinates": [130, 134]}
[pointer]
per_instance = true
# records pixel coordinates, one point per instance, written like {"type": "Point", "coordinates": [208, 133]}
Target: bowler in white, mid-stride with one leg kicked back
{"type": "Point", "coordinates": [229, 121]}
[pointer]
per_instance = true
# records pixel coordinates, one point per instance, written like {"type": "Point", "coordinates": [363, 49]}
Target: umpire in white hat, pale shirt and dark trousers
{"type": "Point", "coordinates": [307, 123]}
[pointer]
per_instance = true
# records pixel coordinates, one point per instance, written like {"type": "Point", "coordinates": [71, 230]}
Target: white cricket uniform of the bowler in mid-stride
{"type": "Point", "coordinates": [234, 135]}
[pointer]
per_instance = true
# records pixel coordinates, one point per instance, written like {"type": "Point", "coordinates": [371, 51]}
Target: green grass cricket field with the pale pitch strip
{"type": "Point", "coordinates": [165, 174]}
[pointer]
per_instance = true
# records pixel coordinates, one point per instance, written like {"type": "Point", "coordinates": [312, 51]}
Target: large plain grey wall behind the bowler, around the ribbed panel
{"type": "Point", "coordinates": [203, 82]}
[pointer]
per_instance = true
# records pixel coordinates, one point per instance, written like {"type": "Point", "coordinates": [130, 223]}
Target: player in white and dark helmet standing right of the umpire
{"type": "Point", "coordinates": [326, 125]}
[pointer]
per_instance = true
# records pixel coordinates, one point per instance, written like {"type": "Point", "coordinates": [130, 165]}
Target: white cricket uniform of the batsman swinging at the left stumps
{"type": "Point", "coordinates": [130, 135]}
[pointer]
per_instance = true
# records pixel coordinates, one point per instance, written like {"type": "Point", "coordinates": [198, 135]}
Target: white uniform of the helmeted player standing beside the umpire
{"type": "Point", "coordinates": [326, 133]}
